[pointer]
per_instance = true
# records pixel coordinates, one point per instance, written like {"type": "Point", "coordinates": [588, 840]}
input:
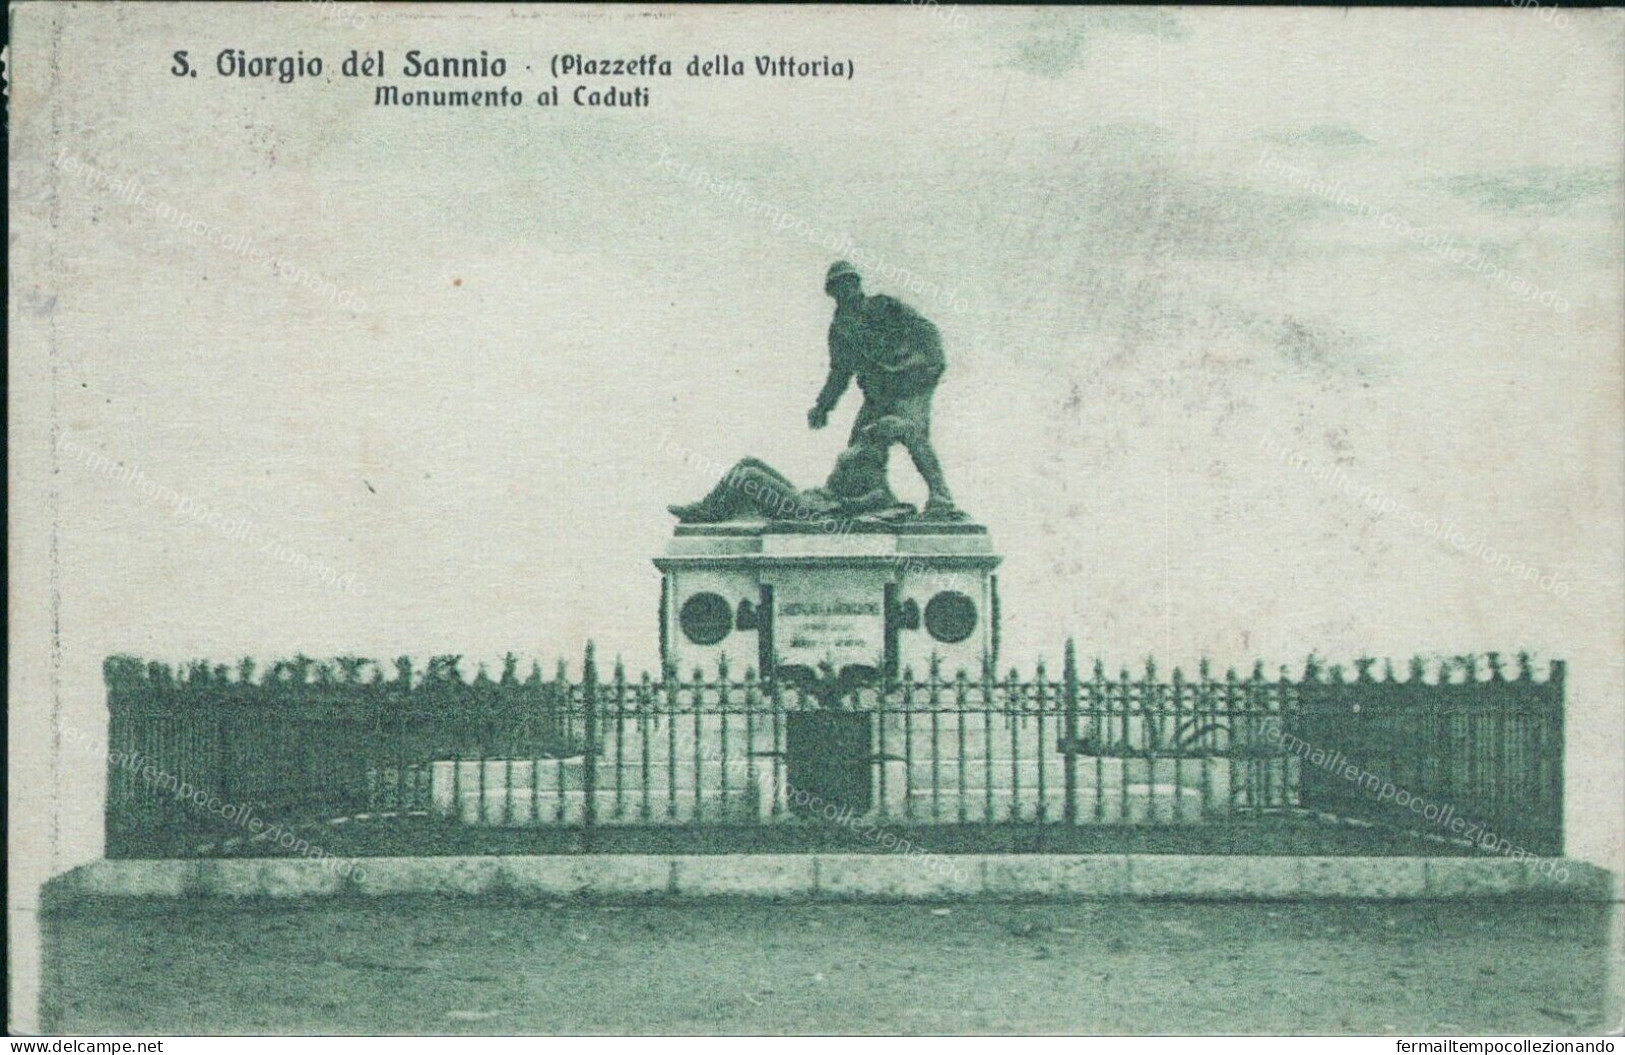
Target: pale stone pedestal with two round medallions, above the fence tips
{"type": "Point", "coordinates": [867, 602]}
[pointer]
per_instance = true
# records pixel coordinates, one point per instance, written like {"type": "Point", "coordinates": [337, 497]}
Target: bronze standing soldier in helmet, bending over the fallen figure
{"type": "Point", "coordinates": [898, 358]}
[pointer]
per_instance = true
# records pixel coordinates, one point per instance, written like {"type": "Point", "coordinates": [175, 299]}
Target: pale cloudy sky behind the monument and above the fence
{"type": "Point", "coordinates": [1218, 384]}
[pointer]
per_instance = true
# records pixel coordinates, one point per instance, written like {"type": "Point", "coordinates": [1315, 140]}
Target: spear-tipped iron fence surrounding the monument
{"type": "Point", "coordinates": [321, 755]}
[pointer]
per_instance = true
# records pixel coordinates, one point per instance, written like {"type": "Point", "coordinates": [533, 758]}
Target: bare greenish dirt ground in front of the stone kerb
{"type": "Point", "coordinates": [430, 966]}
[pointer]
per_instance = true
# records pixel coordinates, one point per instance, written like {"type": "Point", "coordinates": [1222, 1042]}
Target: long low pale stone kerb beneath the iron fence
{"type": "Point", "coordinates": [849, 877]}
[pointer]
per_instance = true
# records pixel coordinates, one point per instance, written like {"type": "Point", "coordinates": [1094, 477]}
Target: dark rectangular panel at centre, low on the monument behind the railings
{"type": "Point", "coordinates": [830, 762]}
